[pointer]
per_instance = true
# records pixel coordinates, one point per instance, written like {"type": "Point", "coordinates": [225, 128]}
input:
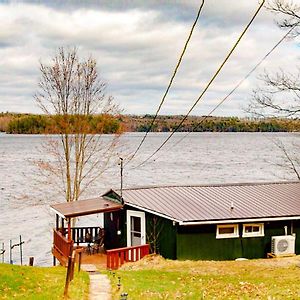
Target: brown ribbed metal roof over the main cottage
{"type": "Point", "coordinates": [213, 202]}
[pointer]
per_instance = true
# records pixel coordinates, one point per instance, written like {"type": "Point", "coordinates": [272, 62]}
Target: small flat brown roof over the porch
{"type": "Point", "coordinates": [85, 207]}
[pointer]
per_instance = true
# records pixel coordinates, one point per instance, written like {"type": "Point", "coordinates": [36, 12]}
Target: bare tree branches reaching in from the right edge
{"type": "Point", "coordinates": [279, 93]}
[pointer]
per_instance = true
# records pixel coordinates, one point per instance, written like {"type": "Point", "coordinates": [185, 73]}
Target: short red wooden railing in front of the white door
{"type": "Point", "coordinates": [117, 257]}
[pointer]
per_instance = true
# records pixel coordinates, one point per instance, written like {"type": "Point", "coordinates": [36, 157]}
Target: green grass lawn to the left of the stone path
{"type": "Point", "coordinates": [40, 283]}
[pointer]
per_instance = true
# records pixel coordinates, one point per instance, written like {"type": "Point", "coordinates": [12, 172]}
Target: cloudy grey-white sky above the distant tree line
{"type": "Point", "coordinates": [136, 45]}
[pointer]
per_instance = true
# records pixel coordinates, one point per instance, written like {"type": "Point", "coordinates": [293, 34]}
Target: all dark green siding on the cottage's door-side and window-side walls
{"type": "Point", "coordinates": [197, 242]}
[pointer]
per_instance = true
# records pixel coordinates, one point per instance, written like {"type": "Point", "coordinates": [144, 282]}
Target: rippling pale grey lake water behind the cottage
{"type": "Point", "coordinates": [200, 158]}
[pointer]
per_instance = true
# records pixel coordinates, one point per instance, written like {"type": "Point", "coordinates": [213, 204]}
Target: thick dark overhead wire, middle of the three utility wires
{"type": "Point", "coordinates": [207, 86]}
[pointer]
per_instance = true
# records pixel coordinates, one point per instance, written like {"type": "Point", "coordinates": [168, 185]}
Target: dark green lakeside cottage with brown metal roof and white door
{"type": "Point", "coordinates": [215, 222]}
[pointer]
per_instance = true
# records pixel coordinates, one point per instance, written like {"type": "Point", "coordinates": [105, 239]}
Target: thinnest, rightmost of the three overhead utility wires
{"type": "Point", "coordinates": [237, 86]}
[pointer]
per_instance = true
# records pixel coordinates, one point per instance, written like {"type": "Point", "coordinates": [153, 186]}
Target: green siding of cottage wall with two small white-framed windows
{"type": "Point", "coordinates": [199, 242]}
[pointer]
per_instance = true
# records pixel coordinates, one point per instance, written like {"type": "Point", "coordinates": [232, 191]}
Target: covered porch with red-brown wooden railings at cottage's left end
{"type": "Point", "coordinates": [91, 242]}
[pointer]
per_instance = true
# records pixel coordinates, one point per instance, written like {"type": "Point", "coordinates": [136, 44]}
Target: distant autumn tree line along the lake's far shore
{"type": "Point", "coordinates": [38, 124]}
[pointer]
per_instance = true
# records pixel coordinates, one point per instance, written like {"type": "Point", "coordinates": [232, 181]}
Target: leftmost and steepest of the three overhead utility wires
{"type": "Point", "coordinates": [170, 82]}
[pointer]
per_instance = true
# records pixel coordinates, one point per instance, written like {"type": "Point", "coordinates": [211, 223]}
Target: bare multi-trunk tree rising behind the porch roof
{"type": "Point", "coordinates": [71, 92]}
